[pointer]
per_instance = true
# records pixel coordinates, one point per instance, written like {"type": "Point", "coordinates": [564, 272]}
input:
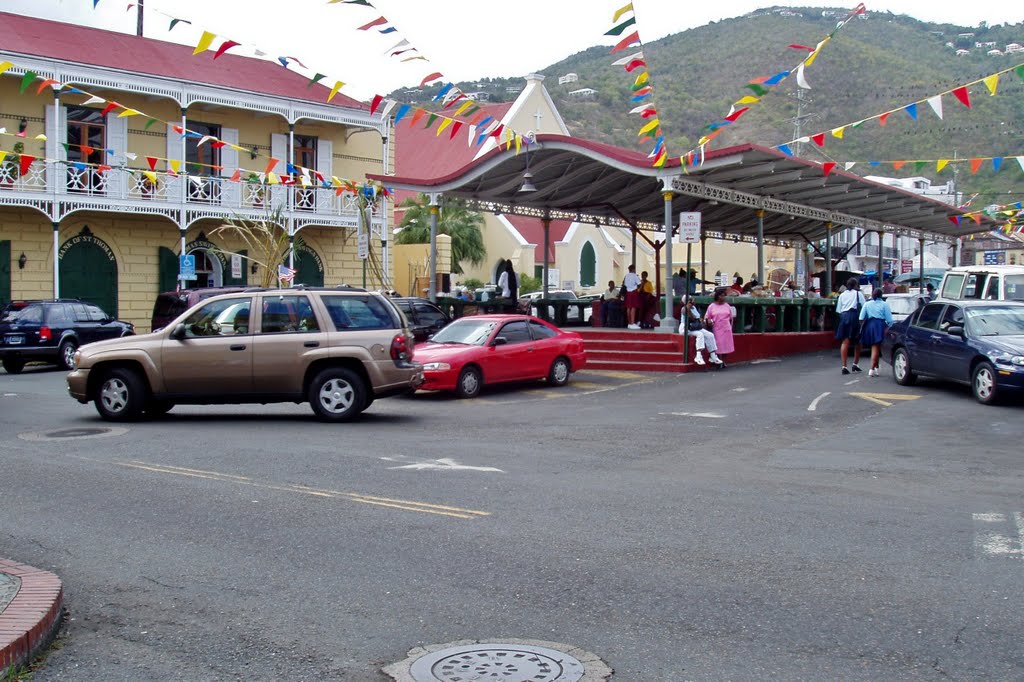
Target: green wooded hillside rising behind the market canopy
{"type": "Point", "coordinates": [876, 64]}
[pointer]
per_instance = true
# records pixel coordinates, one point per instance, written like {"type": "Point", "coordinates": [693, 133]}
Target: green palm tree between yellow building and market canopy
{"type": "Point", "coordinates": [464, 227]}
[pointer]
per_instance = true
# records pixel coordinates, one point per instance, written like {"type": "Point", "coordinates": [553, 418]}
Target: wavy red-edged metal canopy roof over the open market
{"type": "Point", "coordinates": [590, 182]}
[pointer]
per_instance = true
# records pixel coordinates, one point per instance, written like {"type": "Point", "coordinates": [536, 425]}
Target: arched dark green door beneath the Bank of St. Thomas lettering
{"type": "Point", "coordinates": [90, 272]}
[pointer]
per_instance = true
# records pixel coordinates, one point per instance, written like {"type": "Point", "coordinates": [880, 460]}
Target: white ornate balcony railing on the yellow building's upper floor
{"type": "Point", "coordinates": [133, 185]}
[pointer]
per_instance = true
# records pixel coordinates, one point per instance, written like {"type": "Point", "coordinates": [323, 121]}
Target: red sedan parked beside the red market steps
{"type": "Point", "coordinates": [492, 350]}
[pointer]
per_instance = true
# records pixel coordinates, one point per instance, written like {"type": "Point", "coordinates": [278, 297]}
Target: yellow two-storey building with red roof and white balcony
{"type": "Point", "coordinates": [147, 150]}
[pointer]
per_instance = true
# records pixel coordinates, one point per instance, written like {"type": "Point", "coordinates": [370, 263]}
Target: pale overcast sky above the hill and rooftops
{"type": "Point", "coordinates": [463, 39]}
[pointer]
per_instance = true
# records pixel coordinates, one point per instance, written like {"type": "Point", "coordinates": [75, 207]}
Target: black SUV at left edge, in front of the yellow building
{"type": "Point", "coordinates": [53, 331]}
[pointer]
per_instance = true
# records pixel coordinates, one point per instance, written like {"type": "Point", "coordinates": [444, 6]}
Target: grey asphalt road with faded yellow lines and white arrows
{"type": "Point", "coordinates": [771, 522]}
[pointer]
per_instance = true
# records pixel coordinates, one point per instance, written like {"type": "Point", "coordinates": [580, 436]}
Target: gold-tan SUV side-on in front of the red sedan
{"type": "Point", "coordinates": [336, 349]}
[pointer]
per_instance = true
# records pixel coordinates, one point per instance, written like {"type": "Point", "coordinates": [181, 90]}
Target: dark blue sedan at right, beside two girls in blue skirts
{"type": "Point", "coordinates": [979, 344]}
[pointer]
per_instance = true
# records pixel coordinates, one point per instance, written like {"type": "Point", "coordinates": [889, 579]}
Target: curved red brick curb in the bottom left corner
{"type": "Point", "coordinates": [30, 622]}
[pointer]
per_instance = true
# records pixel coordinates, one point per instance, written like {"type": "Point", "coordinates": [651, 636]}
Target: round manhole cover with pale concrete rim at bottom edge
{"type": "Point", "coordinates": [500, 662]}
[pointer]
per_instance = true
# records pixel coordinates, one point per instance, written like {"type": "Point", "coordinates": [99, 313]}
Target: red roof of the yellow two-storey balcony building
{"type": "Point", "coordinates": [79, 45]}
